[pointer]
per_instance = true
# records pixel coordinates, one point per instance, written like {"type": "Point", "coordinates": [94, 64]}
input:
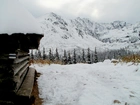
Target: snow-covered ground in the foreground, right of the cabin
{"type": "Point", "coordinates": [89, 84]}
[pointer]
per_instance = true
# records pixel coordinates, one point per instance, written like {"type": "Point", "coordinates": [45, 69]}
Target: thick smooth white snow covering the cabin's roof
{"type": "Point", "coordinates": [14, 18]}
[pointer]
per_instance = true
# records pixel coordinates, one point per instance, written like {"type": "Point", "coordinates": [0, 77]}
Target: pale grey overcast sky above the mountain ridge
{"type": "Point", "coordinates": [96, 10]}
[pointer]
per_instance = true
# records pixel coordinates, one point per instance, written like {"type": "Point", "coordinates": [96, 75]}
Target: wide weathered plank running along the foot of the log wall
{"type": "Point", "coordinates": [27, 85]}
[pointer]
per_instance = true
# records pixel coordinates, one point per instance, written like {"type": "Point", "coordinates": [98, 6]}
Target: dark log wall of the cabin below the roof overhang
{"type": "Point", "coordinates": [13, 69]}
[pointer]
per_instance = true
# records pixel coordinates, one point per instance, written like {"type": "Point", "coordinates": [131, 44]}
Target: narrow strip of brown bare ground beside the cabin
{"type": "Point", "coordinates": [35, 93]}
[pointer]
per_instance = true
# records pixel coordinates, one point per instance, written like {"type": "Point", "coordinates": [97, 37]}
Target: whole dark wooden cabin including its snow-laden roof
{"type": "Point", "coordinates": [19, 32]}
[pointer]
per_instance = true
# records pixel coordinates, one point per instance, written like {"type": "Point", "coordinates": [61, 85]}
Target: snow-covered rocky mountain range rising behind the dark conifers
{"type": "Point", "coordinates": [82, 33]}
